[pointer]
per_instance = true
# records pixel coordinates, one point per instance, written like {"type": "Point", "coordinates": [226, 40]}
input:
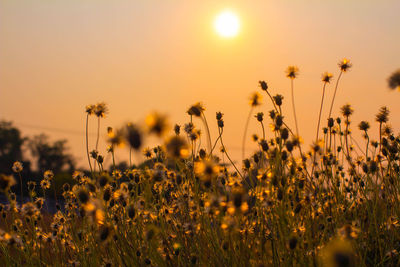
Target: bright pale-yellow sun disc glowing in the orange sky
{"type": "Point", "coordinates": [227, 24]}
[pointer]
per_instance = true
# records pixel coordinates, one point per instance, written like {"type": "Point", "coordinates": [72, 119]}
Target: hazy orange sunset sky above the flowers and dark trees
{"type": "Point", "coordinates": [56, 57]}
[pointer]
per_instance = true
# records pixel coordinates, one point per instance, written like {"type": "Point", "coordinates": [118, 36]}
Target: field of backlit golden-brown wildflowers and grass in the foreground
{"type": "Point", "coordinates": [335, 205]}
